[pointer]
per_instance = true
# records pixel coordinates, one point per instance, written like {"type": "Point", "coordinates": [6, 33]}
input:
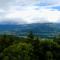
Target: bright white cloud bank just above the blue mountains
{"type": "Point", "coordinates": [30, 15]}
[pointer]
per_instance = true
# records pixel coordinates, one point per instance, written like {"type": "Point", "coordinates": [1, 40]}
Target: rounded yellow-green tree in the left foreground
{"type": "Point", "coordinates": [19, 51]}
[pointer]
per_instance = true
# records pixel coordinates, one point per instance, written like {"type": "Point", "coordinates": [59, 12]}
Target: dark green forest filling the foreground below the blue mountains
{"type": "Point", "coordinates": [32, 47]}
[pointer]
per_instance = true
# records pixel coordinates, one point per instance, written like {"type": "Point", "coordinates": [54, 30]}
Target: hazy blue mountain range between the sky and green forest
{"type": "Point", "coordinates": [40, 29]}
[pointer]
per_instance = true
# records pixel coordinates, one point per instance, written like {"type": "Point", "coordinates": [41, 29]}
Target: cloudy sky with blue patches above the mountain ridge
{"type": "Point", "coordinates": [29, 11]}
